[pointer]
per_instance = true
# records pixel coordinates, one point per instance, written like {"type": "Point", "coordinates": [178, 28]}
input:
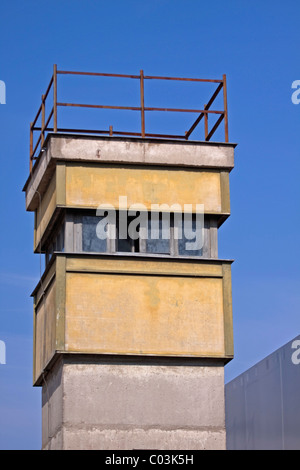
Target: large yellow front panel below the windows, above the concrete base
{"type": "Point", "coordinates": [144, 315]}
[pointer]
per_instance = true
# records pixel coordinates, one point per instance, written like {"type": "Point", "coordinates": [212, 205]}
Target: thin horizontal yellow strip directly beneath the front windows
{"type": "Point", "coordinates": [139, 266]}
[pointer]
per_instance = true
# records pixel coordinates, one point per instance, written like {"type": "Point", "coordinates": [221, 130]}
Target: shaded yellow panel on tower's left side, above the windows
{"type": "Point", "coordinates": [45, 211]}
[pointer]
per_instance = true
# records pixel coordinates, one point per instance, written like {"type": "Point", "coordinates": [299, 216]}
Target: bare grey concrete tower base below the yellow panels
{"type": "Point", "coordinates": [122, 403]}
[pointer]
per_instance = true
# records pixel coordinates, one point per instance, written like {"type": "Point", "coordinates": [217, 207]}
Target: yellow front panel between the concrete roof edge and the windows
{"type": "Point", "coordinates": [89, 186]}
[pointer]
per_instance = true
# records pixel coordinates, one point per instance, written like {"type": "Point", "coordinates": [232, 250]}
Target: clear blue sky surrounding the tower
{"type": "Point", "coordinates": [256, 43]}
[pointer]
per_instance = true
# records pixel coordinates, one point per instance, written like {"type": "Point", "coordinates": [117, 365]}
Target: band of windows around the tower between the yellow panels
{"type": "Point", "coordinates": [154, 233]}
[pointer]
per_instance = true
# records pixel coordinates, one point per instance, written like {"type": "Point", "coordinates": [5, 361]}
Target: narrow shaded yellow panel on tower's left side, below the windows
{"type": "Point", "coordinates": [45, 329]}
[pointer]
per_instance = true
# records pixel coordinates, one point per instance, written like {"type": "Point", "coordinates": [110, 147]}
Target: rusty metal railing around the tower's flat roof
{"type": "Point", "coordinates": [203, 113]}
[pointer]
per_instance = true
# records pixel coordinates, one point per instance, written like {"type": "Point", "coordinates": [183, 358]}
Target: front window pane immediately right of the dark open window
{"type": "Point", "coordinates": [157, 241]}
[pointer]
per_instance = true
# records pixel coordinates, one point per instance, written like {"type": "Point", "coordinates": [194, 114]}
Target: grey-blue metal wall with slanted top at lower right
{"type": "Point", "coordinates": [262, 404]}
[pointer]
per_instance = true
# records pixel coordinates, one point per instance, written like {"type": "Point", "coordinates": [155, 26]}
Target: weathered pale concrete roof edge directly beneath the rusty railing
{"type": "Point", "coordinates": [126, 151]}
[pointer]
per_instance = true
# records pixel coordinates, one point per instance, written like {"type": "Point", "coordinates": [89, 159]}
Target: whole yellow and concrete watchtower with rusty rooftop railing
{"type": "Point", "coordinates": [131, 333]}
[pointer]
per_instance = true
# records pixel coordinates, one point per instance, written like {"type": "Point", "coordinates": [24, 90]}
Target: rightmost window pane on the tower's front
{"type": "Point", "coordinates": [189, 237]}
